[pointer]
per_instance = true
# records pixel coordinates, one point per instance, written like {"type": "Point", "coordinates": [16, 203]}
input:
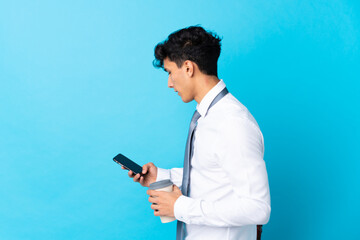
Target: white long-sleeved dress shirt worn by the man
{"type": "Point", "coordinates": [229, 191]}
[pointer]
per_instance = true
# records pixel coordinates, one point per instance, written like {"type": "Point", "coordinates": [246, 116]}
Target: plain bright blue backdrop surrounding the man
{"type": "Point", "coordinates": [77, 86]}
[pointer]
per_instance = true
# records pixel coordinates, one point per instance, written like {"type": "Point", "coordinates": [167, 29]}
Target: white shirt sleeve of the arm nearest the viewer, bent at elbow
{"type": "Point", "coordinates": [240, 154]}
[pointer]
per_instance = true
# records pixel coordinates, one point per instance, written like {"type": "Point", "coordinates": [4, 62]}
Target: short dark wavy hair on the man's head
{"type": "Point", "coordinates": [191, 43]}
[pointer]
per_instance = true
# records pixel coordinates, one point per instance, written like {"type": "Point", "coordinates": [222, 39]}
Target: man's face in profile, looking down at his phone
{"type": "Point", "coordinates": [179, 80]}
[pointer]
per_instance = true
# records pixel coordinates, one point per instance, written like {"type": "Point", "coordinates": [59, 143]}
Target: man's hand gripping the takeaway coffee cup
{"type": "Point", "coordinates": [163, 202]}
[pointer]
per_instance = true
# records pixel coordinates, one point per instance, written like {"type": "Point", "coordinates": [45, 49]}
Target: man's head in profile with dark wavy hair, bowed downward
{"type": "Point", "coordinates": [186, 54]}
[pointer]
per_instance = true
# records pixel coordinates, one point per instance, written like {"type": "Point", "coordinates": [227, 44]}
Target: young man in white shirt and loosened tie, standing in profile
{"type": "Point", "coordinates": [225, 192]}
